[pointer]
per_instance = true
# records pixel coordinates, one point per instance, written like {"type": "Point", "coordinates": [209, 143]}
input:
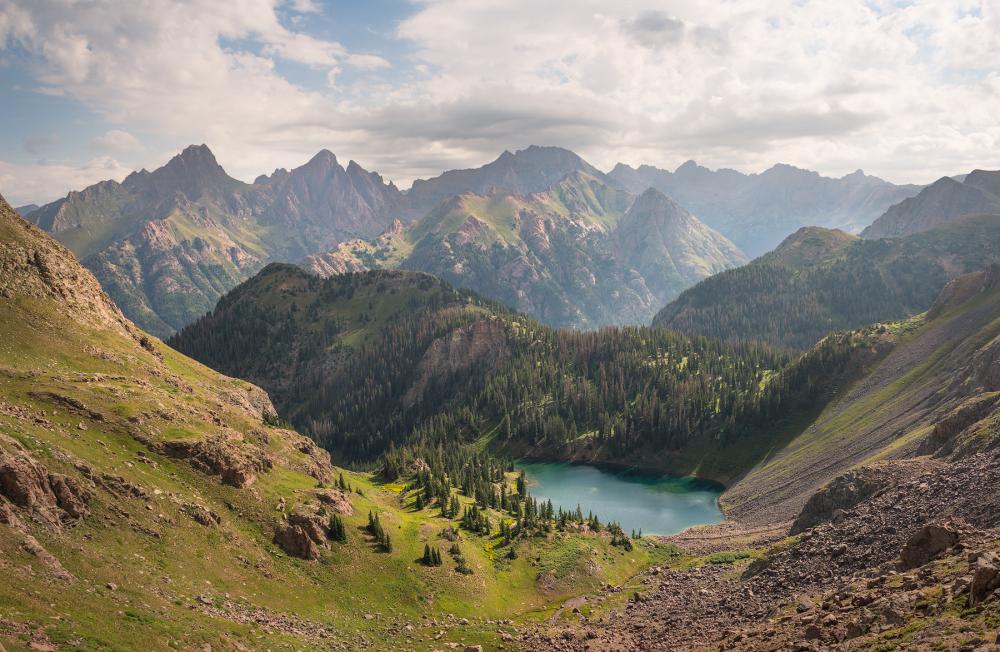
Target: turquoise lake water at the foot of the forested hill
{"type": "Point", "coordinates": [655, 503]}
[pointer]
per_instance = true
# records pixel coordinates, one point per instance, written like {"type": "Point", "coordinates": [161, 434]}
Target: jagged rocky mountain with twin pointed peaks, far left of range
{"type": "Point", "coordinates": [167, 244]}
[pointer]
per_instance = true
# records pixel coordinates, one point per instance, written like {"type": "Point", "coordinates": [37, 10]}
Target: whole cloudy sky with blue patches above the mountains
{"type": "Point", "coordinates": [91, 89]}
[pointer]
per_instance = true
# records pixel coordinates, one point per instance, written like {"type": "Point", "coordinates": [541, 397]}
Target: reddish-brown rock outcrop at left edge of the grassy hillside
{"type": "Point", "coordinates": [50, 498]}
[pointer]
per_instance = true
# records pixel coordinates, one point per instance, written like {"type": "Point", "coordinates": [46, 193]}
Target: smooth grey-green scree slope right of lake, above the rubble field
{"type": "Point", "coordinates": [934, 389]}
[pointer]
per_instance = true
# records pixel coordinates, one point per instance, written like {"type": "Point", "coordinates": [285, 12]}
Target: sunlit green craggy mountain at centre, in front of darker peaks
{"type": "Point", "coordinates": [581, 254]}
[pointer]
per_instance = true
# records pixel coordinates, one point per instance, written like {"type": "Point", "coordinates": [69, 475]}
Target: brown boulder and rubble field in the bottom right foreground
{"type": "Point", "coordinates": [914, 566]}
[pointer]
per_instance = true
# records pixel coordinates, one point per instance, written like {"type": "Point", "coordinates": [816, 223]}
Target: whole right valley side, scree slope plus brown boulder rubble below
{"type": "Point", "coordinates": [876, 527]}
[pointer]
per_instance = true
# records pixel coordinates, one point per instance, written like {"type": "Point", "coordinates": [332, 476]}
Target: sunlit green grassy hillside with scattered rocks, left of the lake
{"type": "Point", "coordinates": [140, 495]}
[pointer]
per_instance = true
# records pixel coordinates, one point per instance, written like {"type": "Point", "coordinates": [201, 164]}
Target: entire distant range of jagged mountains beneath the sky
{"type": "Point", "coordinates": [540, 229]}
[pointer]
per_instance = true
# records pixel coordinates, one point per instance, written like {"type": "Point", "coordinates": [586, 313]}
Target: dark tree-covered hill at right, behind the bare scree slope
{"type": "Point", "coordinates": [819, 281]}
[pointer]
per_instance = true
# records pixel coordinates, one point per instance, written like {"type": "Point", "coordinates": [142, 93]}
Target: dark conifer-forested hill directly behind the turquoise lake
{"type": "Point", "coordinates": [370, 361]}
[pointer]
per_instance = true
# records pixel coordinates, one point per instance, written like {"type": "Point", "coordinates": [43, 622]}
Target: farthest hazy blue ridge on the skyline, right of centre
{"type": "Point", "coordinates": [757, 211]}
